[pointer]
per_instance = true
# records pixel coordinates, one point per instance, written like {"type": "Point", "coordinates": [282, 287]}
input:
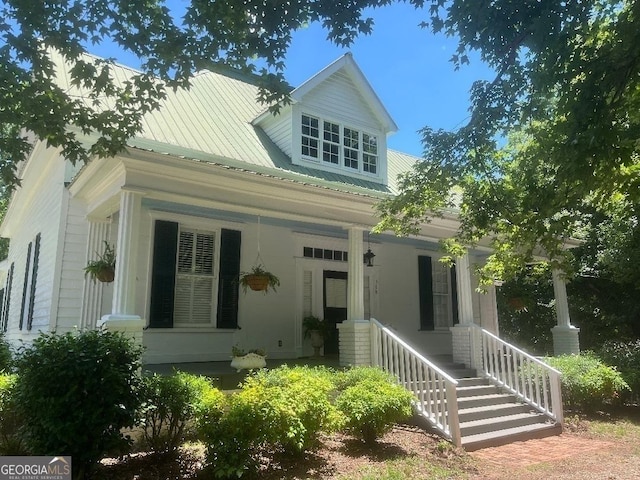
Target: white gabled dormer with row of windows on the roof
{"type": "Point", "coordinates": [335, 123]}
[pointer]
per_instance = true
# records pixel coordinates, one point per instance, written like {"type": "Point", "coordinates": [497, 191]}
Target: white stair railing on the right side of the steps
{"type": "Point", "coordinates": [531, 380]}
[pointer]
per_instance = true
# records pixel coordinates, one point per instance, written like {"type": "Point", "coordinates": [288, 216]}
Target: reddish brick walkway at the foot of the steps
{"type": "Point", "coordinates": [523, 454]}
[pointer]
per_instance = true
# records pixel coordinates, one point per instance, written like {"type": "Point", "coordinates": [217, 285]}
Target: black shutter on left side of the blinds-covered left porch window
{"type": "Point", "coordinates": [163, 276]}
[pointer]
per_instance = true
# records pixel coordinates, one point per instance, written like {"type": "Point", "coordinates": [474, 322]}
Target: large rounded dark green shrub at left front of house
{"type": "Point", "coordinates": [76, 392]}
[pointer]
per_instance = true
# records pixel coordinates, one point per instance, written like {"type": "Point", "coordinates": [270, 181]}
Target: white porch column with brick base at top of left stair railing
{"type": "Point", "coordinates": [354, 333]}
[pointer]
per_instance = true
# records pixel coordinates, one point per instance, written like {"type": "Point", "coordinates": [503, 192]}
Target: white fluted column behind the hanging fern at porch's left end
{"type": "Point", "coordinates": [92, 290]}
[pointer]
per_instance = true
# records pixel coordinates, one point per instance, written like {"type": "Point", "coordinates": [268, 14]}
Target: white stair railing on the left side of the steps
{"type": "Point", "coordinates": [434, 390]}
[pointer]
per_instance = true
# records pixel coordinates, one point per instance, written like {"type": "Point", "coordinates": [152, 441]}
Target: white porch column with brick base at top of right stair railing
{"type": "Point", "coordinates": [465, 349]}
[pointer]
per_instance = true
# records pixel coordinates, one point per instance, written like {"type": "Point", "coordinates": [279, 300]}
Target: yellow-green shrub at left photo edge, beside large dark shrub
{"type": "Point", "coordinates": [11, 439]}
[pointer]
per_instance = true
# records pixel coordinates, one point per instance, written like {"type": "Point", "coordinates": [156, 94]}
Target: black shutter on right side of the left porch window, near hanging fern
{"type": "Point", "coordinates": [228, 286]}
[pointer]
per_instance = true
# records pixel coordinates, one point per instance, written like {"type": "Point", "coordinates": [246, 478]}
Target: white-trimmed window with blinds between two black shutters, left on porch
{"type": "Point", "coordinates": [195, 277]}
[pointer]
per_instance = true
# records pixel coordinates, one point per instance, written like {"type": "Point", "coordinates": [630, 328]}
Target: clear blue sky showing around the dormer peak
{"type": "Point", "coordinates": [407, 66]}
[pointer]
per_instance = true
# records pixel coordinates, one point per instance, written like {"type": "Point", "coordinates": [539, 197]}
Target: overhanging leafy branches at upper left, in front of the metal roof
{"type": "Point", "coordinates": [210, 33]}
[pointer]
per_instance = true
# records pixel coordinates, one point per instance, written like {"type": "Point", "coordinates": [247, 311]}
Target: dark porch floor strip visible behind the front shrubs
{"type": "Point", "coordinates": [227, 378]}
